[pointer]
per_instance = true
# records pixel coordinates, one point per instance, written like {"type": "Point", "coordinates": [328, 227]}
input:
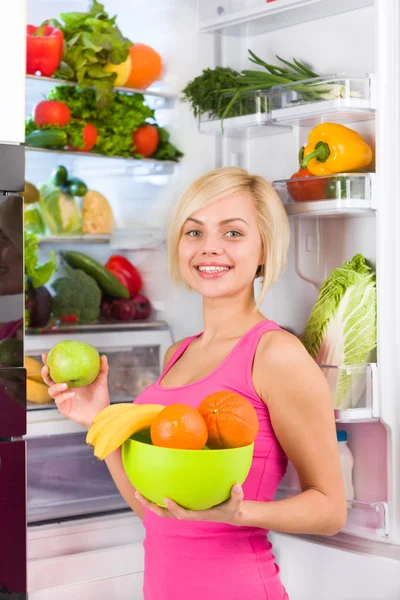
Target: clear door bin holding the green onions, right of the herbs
{"type": "Point", "coordinates": [337, 98]}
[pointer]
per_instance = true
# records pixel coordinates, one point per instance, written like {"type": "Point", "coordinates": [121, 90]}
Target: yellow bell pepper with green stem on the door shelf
{"type": "Point", "coordinates": [333, 149]}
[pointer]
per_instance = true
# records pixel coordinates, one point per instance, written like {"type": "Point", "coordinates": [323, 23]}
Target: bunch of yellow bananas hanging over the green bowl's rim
{"type": "Point", "coordinates": [116, 423]}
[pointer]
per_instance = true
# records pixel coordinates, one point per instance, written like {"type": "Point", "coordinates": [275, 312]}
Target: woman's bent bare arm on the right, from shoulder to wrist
{"type": "Point", "coordinates": [299, 402]}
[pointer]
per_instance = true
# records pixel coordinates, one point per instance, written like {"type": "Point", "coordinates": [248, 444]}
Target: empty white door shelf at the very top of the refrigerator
{"type": "Point", "coordinates": [252, 17]}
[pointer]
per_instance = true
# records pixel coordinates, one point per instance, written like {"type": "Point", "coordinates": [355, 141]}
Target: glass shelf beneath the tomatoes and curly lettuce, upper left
{"type": "Point", "coordinates": [150, 165]}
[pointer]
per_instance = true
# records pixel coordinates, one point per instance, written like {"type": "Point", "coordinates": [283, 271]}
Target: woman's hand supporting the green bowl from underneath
{"type": "Point", "coordinates": [227, 512]}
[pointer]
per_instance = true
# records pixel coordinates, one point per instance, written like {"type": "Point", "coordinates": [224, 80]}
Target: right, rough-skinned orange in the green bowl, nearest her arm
{"type": "Point", "coordinates": [231, 420]}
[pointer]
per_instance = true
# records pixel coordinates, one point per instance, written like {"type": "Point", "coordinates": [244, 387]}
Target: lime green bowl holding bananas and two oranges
{"type": "Point", "coordinates": [193, 456]}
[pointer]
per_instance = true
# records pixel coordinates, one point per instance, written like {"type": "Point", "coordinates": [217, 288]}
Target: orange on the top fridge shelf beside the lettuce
{"type": "Point", "coordinates": [146, 67]}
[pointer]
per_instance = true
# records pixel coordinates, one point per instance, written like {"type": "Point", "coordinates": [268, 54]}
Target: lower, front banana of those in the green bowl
{"type": "Point", "coordinates": [123, 426]}
